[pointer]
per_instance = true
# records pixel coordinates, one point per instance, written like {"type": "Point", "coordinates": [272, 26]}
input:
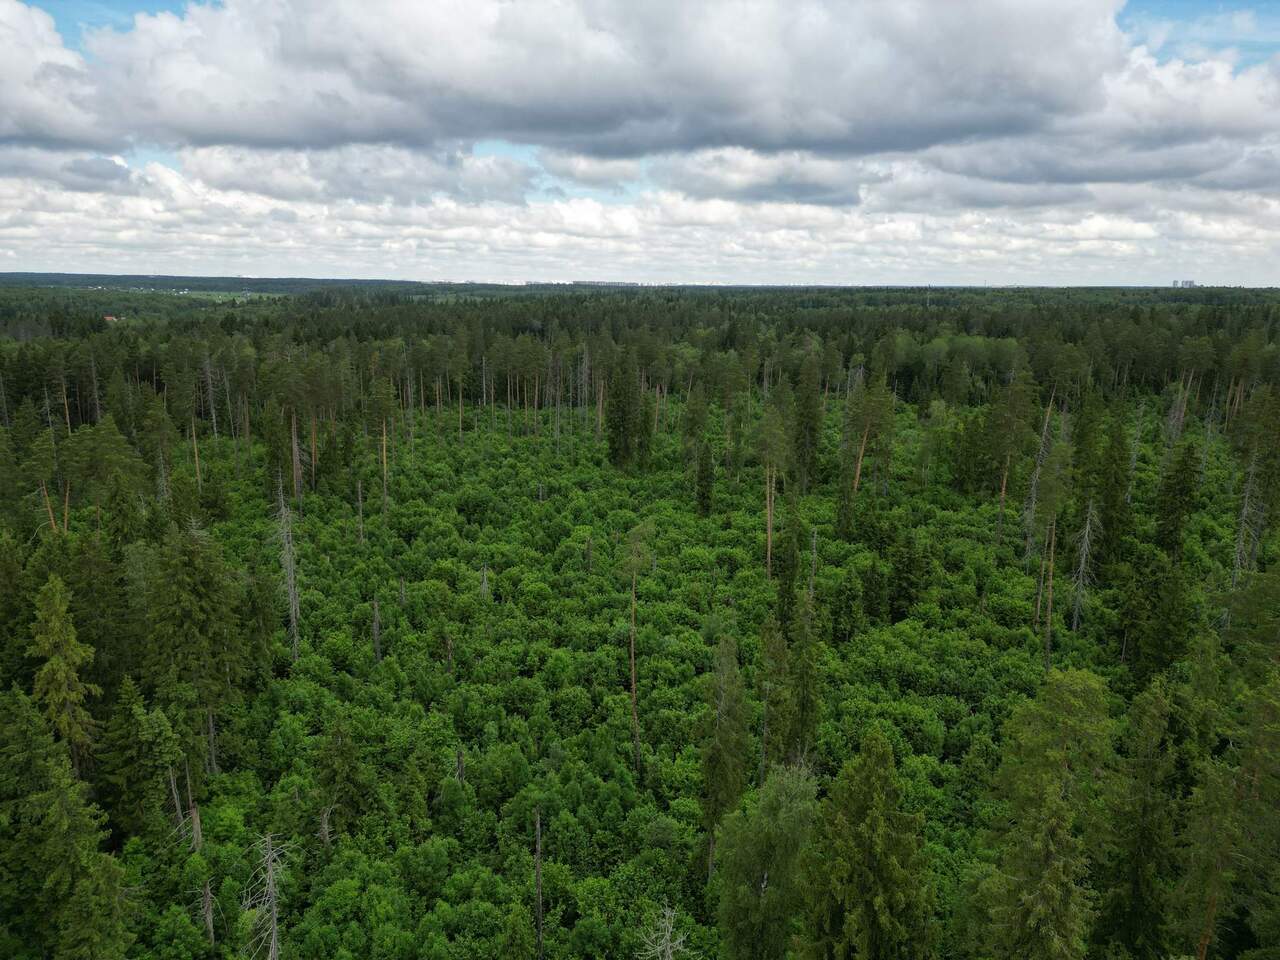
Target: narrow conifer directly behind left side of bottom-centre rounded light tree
{"type": "Point", "coordinates": [725, 744]}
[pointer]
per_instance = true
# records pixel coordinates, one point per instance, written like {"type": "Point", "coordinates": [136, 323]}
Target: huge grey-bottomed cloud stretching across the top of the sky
{"type": "Point", "coordinates": [607, 77]}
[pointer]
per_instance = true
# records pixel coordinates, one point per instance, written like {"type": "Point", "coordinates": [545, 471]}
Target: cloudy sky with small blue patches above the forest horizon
{"type": "Point", "coordinates": [721, 141]}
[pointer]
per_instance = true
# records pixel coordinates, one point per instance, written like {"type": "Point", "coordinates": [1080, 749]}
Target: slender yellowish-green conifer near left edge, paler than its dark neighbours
{"type": "Point", "coordinates": [58, 688]}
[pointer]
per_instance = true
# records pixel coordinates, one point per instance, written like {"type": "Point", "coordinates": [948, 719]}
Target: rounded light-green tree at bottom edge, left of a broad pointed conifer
{"type": "Point", "coordinates": [762, 894]}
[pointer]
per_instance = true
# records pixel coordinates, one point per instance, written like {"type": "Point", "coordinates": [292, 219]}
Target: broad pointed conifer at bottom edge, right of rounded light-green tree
{"type": "Point", "coordinates": [867, 890]}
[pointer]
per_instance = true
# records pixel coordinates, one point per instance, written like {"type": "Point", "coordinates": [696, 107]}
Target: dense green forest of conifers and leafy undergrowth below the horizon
{"type": "Point", "coordinates": [427, 624]}
